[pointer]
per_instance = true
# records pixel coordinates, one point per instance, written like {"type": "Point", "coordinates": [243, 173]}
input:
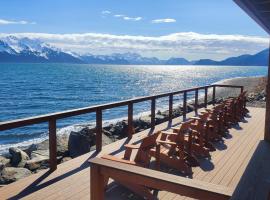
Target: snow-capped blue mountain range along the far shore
{"type": "Point", "coordinates": [26, 50]}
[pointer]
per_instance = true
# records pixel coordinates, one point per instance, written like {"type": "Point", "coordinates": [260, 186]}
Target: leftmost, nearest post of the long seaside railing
{"type": "Point", "coordinates": [52, 144]}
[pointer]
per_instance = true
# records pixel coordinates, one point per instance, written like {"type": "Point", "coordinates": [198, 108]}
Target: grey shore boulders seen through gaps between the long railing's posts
{"type": "Point", "coordinates": [21, 162]}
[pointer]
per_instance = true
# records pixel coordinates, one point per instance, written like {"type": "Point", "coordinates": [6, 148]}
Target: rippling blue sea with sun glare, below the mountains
{"type": "Point", "coordinates": [34, 89]}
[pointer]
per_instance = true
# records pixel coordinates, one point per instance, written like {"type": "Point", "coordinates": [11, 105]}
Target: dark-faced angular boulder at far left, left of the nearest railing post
{"type": "Point", "coordinates": [18, 158]}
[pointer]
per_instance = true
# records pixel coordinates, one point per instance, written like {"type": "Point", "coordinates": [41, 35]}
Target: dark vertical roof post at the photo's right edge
{"type": "Point", "coordinates": [267, 113]}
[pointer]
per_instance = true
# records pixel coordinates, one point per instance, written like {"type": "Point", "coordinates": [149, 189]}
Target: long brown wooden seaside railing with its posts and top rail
{"type": "Point", "coordinates": [98, 109]}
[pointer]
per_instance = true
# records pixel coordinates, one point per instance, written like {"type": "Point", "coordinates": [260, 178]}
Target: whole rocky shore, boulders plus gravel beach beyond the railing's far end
{"type": "Point", "coordinates": [24, 161]}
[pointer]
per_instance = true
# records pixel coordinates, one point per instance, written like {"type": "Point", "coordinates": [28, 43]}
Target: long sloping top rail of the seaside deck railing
{"type": "Point", "coordinates": [75, 112]}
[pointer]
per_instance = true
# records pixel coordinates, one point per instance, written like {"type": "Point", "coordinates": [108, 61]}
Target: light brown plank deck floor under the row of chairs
{"type": "Point", "coordinates": [232, 165]}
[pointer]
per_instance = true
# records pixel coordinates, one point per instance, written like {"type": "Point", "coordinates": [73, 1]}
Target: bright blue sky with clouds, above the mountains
{"type": "Point", "coordinates": [150, 19]}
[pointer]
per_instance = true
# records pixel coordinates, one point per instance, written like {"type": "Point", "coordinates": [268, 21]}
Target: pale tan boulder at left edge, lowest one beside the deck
{"type": "Point", "coordinates": [12, 174]}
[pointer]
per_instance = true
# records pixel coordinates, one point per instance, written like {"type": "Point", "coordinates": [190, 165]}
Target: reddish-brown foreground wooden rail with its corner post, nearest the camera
{"type": "Point", "coordinates": [102, 169]}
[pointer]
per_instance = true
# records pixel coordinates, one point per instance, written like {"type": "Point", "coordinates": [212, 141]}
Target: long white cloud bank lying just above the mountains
{"type": "Point", "coordinates": [184, 44]}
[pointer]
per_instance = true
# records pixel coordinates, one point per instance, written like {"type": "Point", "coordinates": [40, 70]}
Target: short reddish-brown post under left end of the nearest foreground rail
{"type": "Point", "coordinates": [96, 183]}
